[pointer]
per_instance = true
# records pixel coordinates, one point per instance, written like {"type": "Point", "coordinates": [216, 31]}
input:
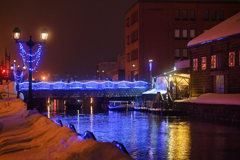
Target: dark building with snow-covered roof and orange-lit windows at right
{"type": "Point", "coordinates": [215, 59]}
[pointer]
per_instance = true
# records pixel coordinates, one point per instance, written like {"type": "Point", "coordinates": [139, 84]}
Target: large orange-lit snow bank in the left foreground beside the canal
{"type": "Point", "coordinates": [29, 135]}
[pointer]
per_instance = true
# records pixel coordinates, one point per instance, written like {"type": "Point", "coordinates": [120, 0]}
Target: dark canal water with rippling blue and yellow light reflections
{"type": "Point", "coordinates": [149, 136]}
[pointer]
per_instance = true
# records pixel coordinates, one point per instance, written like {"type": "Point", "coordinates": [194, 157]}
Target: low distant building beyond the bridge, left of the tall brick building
{"type": "Point", "coordinates": [102, 68]}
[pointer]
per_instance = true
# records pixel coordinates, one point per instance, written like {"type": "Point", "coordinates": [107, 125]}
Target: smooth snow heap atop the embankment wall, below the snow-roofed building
{"type": "Point", "coordinates": [214, 98]}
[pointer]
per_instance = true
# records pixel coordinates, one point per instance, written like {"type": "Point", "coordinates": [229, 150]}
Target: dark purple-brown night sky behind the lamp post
{"type": "Point", "coordinates": [81, 32]}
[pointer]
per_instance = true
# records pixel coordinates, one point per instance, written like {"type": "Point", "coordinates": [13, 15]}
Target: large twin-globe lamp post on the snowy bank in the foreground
{"type": "Point", "coordinates": [30, 44]}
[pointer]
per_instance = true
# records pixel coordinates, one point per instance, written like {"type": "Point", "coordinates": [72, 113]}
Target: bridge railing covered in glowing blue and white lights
{"type": "Point", "coordinates": [87, 85]}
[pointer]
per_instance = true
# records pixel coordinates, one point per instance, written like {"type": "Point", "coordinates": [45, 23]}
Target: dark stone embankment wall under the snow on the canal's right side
{"type": "Point", "coordinates": [211, 111]}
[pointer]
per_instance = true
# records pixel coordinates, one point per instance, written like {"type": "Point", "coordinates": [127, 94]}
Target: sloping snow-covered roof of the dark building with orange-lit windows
{"type": "Point", "coordinates": [229, 27]}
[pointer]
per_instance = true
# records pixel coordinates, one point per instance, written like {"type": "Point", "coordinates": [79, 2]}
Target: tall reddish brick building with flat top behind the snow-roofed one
{"type": "Point", "coordinates": [160, 30]}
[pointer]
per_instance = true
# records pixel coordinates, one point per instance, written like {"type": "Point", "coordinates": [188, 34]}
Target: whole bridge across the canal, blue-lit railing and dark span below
{"type": "Point", "coordinates": [77, 89]}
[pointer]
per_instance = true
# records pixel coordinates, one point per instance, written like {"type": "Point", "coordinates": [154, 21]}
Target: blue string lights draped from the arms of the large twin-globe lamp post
{"type": "Point", "coordinates": [36, 56]}
